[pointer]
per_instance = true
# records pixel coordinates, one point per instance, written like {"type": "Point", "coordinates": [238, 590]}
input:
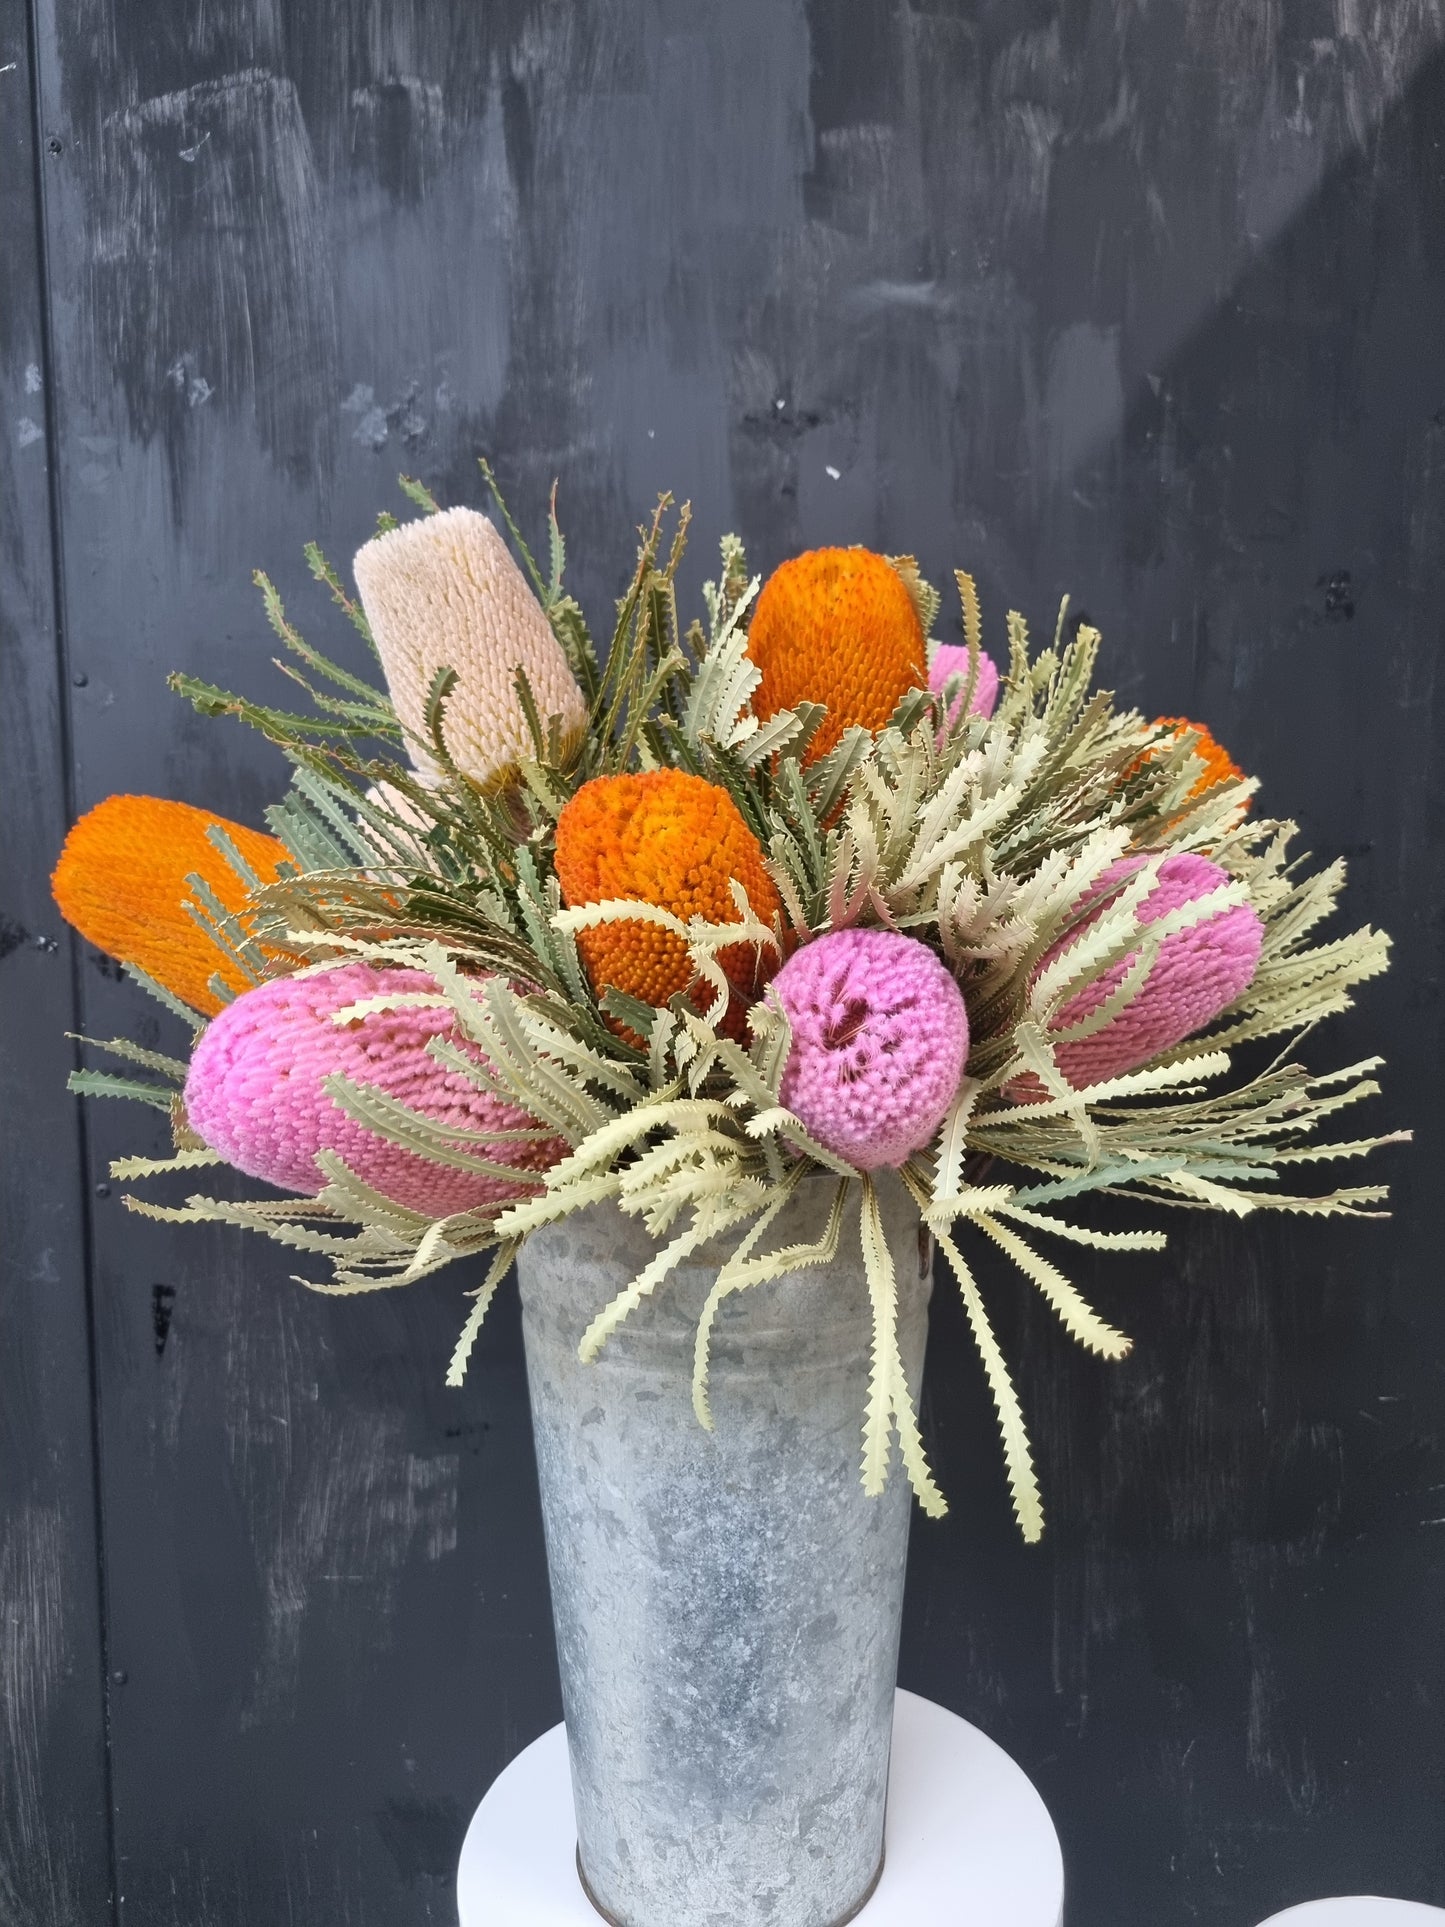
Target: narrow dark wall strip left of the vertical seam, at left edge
{"type": "Point", "coordinates": [55, 1857]}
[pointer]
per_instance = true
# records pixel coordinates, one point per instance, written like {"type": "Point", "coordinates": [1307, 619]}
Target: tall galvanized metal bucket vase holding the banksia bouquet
{"type": "Point", "coordinates": [727, 1602]}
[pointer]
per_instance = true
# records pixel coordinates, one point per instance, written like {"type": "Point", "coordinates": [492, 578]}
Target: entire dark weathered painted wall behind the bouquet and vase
{"type": "Point", "coordinates": [1145, 302]}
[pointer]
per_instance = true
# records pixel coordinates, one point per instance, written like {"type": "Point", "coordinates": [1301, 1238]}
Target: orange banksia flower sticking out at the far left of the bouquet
{"type": "Point", "coordinates": [122, 884]}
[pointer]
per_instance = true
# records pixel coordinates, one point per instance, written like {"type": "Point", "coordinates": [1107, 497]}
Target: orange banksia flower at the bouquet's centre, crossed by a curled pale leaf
{"type": "Point", "coordinates": [666, 839]}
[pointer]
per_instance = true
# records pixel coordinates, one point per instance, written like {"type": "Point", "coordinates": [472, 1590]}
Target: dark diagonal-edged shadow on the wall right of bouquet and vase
{"type": "Point", "coordinates": [1228, 1693]}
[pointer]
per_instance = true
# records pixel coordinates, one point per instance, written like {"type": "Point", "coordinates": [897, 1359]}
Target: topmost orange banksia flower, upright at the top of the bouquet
{"type": "Point", "coordinates": [837, 627]}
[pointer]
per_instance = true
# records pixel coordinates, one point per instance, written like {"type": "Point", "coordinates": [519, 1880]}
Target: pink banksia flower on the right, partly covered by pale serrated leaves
{"type": "Point", "coordinates": [1195, 978]}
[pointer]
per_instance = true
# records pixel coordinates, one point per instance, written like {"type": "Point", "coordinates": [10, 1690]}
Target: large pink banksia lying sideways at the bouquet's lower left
{"type": "Point", "coordinates": [255, 1092]}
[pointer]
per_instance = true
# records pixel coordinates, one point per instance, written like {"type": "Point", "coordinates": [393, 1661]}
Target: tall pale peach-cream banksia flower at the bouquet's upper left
{"type": "Point", "coordinates": [446, 593]}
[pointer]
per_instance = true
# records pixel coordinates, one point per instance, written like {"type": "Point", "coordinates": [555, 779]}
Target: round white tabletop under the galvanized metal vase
{"type": "Point", "coordinates": [968, 1841]}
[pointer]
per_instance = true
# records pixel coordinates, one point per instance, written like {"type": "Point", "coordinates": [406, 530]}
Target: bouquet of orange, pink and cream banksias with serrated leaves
{"type": "Point", "coordinates": [712, 912]}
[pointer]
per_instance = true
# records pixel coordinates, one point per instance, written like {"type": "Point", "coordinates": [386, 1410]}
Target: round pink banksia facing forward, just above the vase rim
{"type": "Point", "coordinates": [880, 1040]}
